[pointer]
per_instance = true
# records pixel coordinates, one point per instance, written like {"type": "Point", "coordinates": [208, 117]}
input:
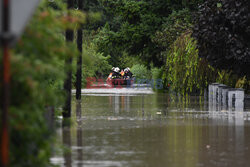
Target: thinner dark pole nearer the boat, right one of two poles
{"type": "Point", "coordinates": [79, 58]}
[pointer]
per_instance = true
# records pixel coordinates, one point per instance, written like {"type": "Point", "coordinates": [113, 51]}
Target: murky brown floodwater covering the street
{"type": "Point", "coordinates": [152, 130]}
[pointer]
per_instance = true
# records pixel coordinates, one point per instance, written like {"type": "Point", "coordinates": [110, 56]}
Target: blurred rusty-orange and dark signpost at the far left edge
{"type": "Point", "coordinates": [6, 86]}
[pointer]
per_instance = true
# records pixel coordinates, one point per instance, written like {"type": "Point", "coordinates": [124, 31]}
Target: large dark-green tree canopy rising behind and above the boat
{"type": "Point", "coordinates": [133, 26]}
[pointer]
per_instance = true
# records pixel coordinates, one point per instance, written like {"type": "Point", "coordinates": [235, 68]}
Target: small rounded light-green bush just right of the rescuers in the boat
{"type": "Point", "coordinates": [140, 72]}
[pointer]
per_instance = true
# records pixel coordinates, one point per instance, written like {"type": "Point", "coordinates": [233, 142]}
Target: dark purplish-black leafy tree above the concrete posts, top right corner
{"type": "Point", "coordinates": [222, 30]}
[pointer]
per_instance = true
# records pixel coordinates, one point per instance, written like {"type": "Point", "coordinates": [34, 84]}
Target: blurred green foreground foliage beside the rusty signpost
{"type": "Point", "coordinates": [36, 83]}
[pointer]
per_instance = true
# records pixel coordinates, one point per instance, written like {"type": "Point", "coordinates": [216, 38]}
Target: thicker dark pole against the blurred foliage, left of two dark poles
{"type": "Point", "coordinates": [68, 66]}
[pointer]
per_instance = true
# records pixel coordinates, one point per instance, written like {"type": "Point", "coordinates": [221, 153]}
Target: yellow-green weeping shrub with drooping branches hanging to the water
{"type": "Point", "coordinates": [186, 72]}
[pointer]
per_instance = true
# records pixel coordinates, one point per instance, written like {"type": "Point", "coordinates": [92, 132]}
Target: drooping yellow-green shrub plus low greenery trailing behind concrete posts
{"type": "Point", "coordinates": [187, 73]}
